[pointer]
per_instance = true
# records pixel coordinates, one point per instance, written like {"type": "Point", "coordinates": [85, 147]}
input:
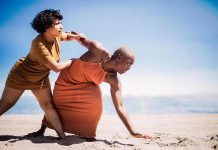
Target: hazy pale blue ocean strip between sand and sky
{"type": "Point", "coordinates": [137, 105]}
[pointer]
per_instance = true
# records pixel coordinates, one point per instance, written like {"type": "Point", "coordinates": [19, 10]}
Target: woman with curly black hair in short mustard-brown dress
{"type": "Point", "coordinates": [31, 72]}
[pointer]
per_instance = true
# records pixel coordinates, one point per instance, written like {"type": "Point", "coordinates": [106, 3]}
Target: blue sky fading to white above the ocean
{"type": "Point", "coordinates": [175, 41]}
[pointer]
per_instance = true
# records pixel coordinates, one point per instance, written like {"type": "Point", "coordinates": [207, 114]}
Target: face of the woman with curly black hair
{"type": "Point", "coordinates": [56, 29]}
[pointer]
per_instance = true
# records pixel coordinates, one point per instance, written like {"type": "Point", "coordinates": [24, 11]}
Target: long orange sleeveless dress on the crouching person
{"type": "Point", "coordinates": [77, 97]}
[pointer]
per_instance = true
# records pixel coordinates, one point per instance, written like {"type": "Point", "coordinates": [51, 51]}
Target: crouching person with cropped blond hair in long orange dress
{"type": "Point", "coordinates": [77, 95]}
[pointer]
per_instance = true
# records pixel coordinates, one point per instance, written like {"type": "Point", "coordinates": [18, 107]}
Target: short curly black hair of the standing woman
{"type": "Point", "coordinates": [44, 19]}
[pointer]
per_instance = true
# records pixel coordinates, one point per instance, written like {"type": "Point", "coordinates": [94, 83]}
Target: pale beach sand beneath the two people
{"type": "Point", "coordinates": [170, 132]}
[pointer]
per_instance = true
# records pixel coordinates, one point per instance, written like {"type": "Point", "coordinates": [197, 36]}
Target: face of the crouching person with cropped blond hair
{"type": "Point", "coordinates": [124, 64]}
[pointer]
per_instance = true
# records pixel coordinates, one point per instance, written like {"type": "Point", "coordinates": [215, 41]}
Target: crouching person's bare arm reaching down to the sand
{"type": "Point", "coordinates": [117, 101]}
